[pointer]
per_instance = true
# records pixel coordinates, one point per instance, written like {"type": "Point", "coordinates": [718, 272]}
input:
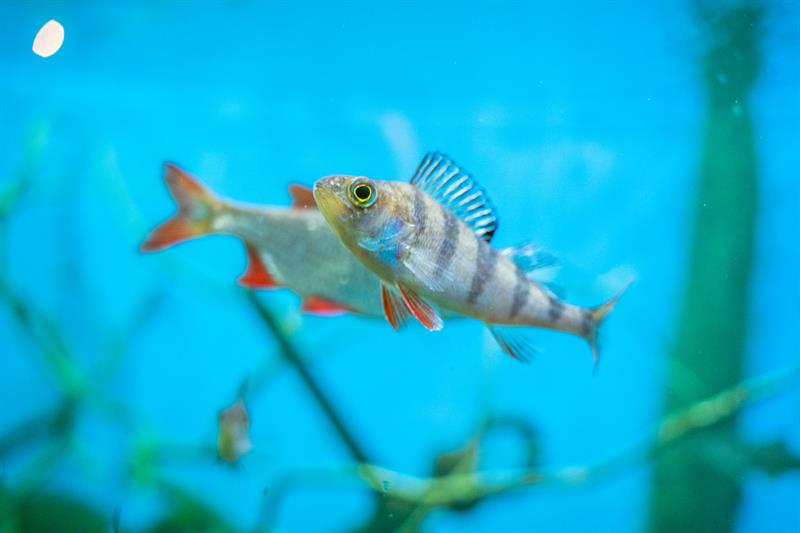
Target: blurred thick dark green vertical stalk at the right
{"type": "Point", "coordinates": [691, 491]}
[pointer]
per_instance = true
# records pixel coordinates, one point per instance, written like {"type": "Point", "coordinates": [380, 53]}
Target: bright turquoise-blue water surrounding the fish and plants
{"type": "Point", "coordinates": [584, 121]}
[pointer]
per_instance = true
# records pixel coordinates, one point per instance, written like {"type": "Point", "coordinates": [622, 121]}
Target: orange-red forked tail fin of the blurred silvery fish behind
{"type": "Point", "coordinates": [196, 207]}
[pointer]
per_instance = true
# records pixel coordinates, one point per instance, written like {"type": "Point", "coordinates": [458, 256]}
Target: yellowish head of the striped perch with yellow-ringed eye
{"type": "Point", "coordinates": [361, 211]}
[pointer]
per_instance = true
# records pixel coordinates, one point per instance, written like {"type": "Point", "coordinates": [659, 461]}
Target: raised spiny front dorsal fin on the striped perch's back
{"type": "Point", "coordinates": [454, 188]}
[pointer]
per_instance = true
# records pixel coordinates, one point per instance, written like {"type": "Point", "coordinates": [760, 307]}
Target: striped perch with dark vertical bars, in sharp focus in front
{"type": "Point", "coordinates": [428, 240]}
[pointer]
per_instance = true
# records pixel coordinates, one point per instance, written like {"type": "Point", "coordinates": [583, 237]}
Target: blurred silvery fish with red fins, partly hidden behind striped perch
{"type": "Point", "coordinates": [290, 247]}
